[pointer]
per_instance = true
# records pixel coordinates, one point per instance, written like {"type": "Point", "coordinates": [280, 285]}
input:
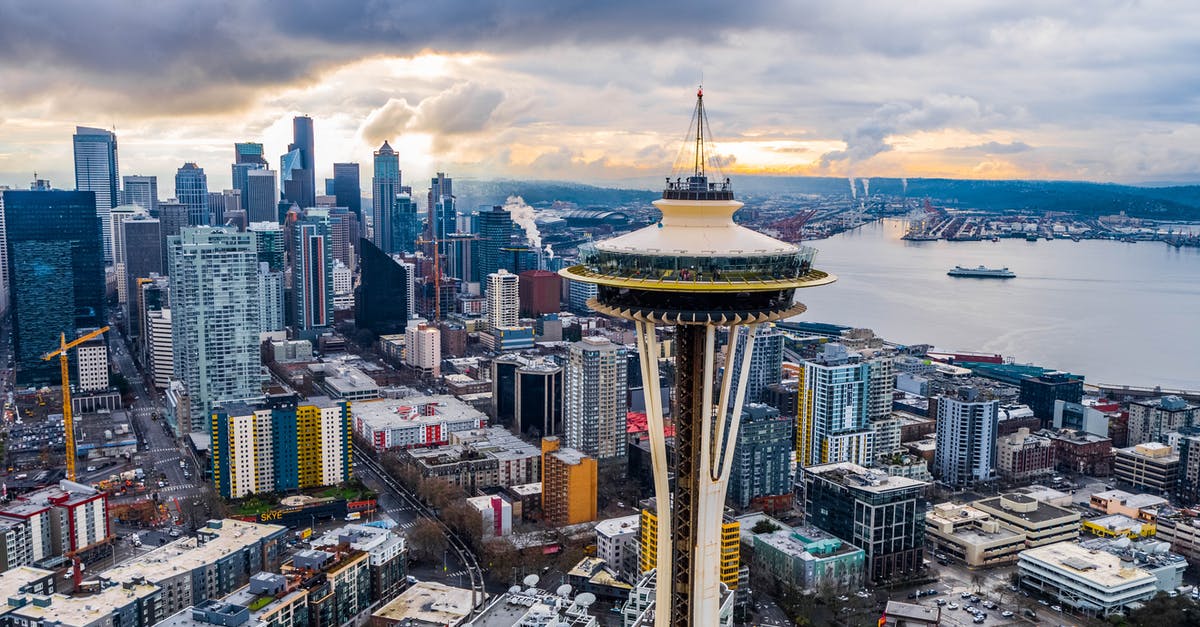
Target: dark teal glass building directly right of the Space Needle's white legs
{"type": "Point", "coordinates": [763, 458]}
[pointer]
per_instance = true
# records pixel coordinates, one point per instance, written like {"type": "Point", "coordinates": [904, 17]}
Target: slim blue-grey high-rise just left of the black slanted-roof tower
{"type": "Point", "coordinates": [313, 276]}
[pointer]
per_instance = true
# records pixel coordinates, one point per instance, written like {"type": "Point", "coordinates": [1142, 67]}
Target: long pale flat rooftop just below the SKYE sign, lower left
{"type": "Point", "coordinates": [188, 554]}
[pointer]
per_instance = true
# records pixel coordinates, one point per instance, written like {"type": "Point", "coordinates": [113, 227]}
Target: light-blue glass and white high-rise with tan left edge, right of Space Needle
{"type": "Point", "coordinates": [832, 423]}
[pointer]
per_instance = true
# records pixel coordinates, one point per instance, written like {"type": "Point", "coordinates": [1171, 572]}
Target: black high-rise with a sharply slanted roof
{"type": "Point", "coordinates": [383, 300]}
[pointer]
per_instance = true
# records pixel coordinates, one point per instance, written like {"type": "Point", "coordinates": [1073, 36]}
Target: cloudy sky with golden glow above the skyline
{"type": "Point", "coordinates": [602, 92]}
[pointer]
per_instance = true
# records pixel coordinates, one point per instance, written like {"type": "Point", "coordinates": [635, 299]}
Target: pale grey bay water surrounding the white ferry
{"type": "Point", "coordinates": [1117, 313]}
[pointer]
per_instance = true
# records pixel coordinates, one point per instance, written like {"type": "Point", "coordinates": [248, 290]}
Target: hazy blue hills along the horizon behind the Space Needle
{"type": "Point", "coordinates": [1085, 200]}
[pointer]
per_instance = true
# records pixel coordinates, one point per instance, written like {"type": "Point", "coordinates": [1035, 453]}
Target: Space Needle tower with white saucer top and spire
{"type": "Point", "coordinates": [699, 272]}
